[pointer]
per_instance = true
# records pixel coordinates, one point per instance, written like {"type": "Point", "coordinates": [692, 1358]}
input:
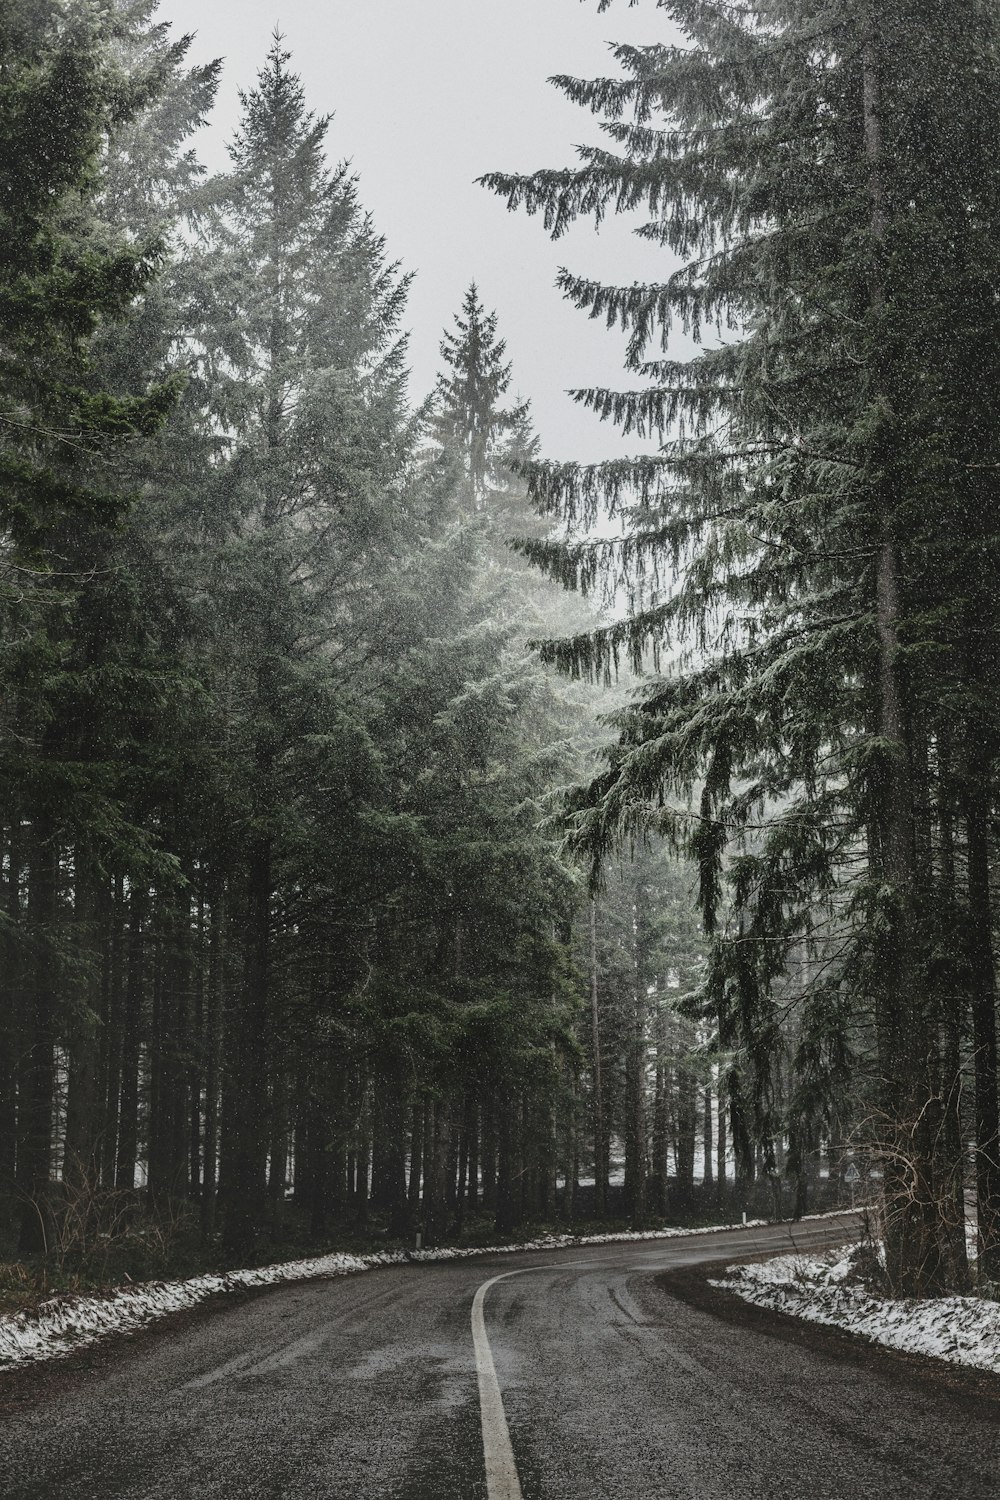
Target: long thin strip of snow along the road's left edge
{"type": "Point", "coordinates": [68, 1324]}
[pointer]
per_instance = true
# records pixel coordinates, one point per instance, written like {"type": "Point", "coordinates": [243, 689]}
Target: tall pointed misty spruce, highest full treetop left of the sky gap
{"type": "Point", "coordinates": [308, 385]}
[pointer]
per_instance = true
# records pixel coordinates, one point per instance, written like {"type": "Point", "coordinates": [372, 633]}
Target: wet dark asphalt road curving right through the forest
{"type": "Point", "coordinates": [614, 1388]}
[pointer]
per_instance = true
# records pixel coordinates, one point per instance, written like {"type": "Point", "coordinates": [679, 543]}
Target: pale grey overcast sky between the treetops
{"type": "Point", "coordinates": [427, 97]}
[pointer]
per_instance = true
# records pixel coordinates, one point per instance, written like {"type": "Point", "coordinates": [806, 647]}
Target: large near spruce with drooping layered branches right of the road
{"type": "Point", "coordinates": [801, 535]}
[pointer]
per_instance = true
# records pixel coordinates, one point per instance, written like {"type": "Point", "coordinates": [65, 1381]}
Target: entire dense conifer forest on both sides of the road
{"type": "Point", "coordinates": [406, 833]}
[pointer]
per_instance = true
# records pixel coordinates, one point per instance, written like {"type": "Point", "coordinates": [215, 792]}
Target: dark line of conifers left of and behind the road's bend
{"type": "Point", "coordinates": [290, 941]}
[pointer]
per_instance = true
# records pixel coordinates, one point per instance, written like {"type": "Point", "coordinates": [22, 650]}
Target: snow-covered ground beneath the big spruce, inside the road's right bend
{"type": "Point", "coordinates": [965, 1331]}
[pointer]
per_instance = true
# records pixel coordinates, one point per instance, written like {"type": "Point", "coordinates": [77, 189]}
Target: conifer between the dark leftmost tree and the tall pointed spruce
{"type": "Point", "coordinates": [157, 719]}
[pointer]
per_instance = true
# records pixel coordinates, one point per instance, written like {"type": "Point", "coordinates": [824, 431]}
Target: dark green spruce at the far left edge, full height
{"type": "Point", "coordinates": [64, 422]}
